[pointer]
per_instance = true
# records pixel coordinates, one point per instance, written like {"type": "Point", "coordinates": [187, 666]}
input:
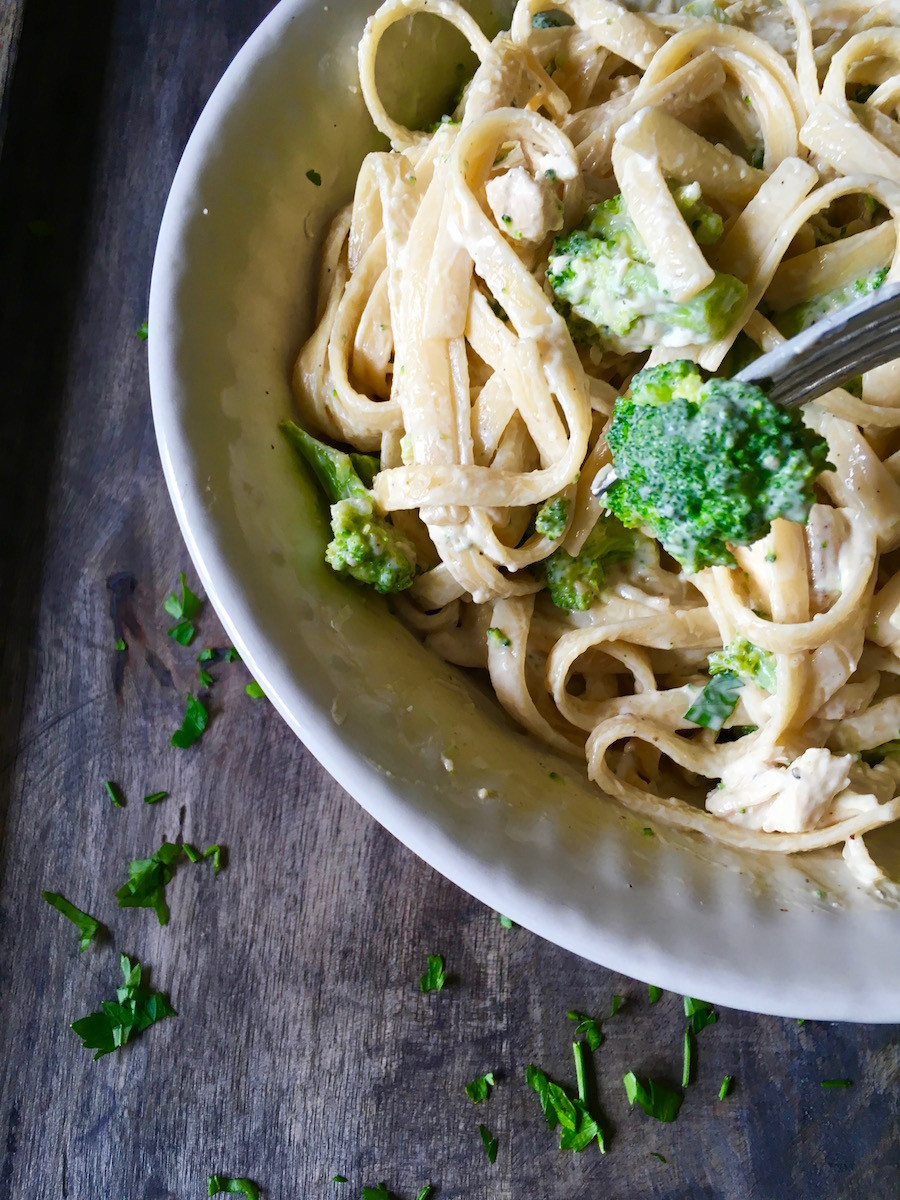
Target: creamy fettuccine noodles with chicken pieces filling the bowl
{"type": "Point", "coordinates": [440, 347]}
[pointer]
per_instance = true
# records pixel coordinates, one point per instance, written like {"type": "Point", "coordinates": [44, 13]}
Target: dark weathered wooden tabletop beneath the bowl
{"type": "Point", "coordinates": [303, 1047]}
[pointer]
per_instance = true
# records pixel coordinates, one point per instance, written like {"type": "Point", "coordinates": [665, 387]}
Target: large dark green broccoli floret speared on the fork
{"type": "Point", "coordinates": [705, 465]}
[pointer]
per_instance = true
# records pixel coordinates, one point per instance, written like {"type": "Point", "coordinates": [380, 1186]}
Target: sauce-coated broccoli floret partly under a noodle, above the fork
{"type": "Point", "coordinates": [607, 289]}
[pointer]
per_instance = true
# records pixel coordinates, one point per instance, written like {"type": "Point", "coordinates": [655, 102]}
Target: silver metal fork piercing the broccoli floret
{"type": "Point", "coordinates": [860, 338]}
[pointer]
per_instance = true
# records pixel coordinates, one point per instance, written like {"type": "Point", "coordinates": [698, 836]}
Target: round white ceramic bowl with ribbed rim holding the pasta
{"type": "Point", "coordinates": [427, 753]}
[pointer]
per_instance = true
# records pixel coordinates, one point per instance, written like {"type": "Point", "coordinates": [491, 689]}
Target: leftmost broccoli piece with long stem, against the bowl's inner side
{"type": "Point", "coordinates": [365, 545]}
